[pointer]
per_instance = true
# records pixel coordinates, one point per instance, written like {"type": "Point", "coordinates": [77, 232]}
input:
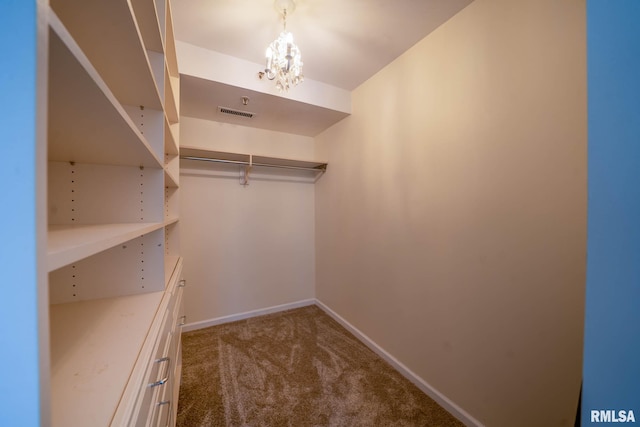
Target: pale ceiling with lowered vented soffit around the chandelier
{"type": "Point", "coordinates": [343, 43]}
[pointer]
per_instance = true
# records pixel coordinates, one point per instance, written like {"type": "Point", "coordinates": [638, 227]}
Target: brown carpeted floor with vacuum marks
{"type": "Point", "coordinates": [294, 368]}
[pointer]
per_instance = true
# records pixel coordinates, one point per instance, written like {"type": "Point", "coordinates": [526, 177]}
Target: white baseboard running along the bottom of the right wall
{"type": "Point", "coordinates": [427, 389]}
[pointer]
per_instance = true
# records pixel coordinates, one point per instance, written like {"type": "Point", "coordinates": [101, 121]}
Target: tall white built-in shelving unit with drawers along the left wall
{"type": "Point", "coordinates": [113, 259]}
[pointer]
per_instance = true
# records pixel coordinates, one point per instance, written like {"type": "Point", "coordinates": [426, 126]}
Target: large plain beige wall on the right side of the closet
{"type": "Point", "coordinates": [451, 225]}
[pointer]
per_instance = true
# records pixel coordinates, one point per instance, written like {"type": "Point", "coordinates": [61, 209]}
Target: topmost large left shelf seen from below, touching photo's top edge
{"type": "Point", "coordinates": [107, 32]}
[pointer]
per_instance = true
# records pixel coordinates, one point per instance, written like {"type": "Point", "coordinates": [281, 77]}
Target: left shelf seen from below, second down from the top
{"type": "Point", "coordinates": [80, 103]}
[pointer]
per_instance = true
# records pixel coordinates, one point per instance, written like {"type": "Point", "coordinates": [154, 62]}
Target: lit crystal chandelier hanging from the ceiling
{"type": "Point", "coordinates": [284, 62]}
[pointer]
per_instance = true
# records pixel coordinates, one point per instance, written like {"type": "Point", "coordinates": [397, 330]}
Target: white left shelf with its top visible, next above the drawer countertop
{"type": "Point", "coordinates": [70, 243]}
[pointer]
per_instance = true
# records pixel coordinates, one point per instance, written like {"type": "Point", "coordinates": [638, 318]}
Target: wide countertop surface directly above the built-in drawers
{"type": "Point", "coordinates": [94, 346]}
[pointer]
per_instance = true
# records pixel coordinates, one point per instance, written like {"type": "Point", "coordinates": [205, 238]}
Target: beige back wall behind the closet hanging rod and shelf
{"type": "Point", "coordinates": [245, 248]}
